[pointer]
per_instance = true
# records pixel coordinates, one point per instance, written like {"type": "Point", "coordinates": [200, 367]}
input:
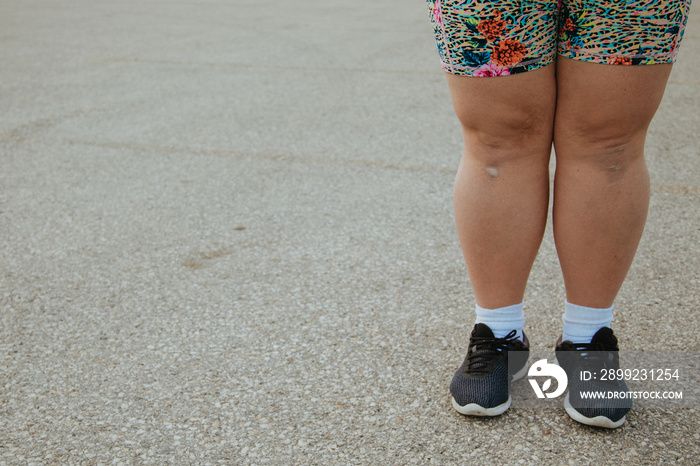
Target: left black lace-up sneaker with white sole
{"type": "Point", "coordinates": [481, 386]}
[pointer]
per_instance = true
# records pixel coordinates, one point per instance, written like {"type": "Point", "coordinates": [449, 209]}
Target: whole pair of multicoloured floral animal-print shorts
{"type": "Point", "coordinates": [499, 37]}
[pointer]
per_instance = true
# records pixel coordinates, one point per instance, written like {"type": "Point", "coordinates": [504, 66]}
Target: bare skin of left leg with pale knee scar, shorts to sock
{"type": "Point", "coordinates": [502, 186]}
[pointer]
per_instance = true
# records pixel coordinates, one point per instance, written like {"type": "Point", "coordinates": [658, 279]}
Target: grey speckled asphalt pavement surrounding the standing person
{"type": "Point", "coordinates": [226, 237]}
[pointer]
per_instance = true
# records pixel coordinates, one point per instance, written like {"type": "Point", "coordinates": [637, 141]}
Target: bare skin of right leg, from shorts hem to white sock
{"type": "Point", "coordinates": [601, 185]}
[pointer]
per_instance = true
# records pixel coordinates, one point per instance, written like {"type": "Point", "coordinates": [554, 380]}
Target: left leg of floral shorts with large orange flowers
{"type": "Point", "coordinates": [494, 37]}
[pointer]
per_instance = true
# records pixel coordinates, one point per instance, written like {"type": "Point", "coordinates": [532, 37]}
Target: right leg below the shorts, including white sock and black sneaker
{"type": "Point", "coordinates": [601, 196]}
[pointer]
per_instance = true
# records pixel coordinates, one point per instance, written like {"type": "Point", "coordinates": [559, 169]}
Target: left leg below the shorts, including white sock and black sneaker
{"type": "Point", "coordinates": [501, 199]}
